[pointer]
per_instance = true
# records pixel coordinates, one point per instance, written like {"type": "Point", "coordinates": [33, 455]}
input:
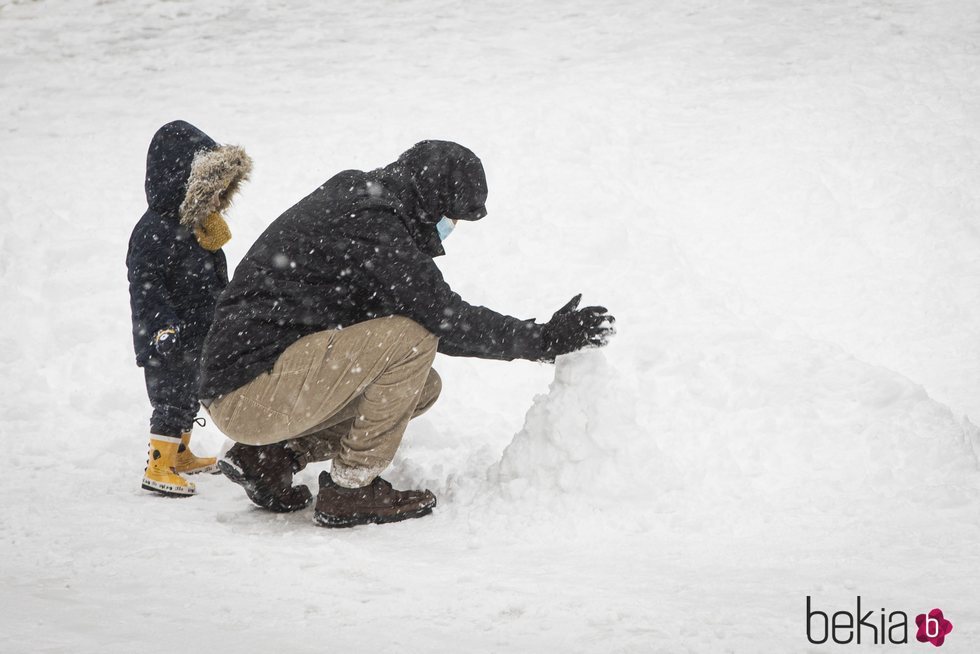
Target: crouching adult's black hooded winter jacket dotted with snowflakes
{"type": "Point", "coordinates": [360, 247]}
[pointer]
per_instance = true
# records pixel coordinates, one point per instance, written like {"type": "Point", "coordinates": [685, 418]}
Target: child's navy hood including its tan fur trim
{"type": "Point", "coordinates": [189, 176]}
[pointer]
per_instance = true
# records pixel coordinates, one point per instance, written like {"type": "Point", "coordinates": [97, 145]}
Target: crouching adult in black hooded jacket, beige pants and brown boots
{"type": "Point", "coordinates": [323, 343]}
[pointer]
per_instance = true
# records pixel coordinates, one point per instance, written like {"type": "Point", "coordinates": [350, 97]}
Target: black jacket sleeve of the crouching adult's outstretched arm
{"type": "Point", "coordinates": [408, 283]}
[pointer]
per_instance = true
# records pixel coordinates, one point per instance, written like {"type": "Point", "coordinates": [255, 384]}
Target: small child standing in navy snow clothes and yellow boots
{"type": "Point", "coordinates": [176, 272]}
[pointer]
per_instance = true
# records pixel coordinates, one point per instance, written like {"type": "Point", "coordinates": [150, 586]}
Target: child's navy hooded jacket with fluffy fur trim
{"type": "Point", "coordinates": [173, 281]}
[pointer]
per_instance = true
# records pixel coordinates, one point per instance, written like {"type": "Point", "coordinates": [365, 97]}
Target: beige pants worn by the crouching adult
{"type": "Point", "coordinates": [345, 394]}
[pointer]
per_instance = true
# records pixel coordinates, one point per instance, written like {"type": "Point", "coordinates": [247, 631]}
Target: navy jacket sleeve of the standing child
{"type": "Point", "coordinates": [148, 296]}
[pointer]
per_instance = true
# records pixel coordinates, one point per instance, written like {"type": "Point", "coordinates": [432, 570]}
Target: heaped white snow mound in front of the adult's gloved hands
{"type": "Point", "coordinates": [782, 423]}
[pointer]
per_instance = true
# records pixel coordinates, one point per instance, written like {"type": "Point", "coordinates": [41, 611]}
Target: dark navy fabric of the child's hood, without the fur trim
{"type": "Point", "coordinates": [168, 164]}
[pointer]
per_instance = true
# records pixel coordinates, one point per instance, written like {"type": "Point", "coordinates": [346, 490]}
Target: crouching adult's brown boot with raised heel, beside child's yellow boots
{"type": "Point", "coordinates": [266, 474]}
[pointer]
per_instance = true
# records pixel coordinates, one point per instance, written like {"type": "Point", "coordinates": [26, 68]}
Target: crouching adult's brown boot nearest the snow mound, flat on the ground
{"type": "Point", "coordinates": [377, 503]}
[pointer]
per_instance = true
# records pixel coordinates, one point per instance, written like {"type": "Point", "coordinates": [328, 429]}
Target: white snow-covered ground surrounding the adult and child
{"type": "Point", "coordinates": [779, 201]}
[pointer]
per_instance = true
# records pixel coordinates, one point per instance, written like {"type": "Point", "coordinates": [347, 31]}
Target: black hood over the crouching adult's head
{"type": "Point", "coordinates": [435, 179]}
